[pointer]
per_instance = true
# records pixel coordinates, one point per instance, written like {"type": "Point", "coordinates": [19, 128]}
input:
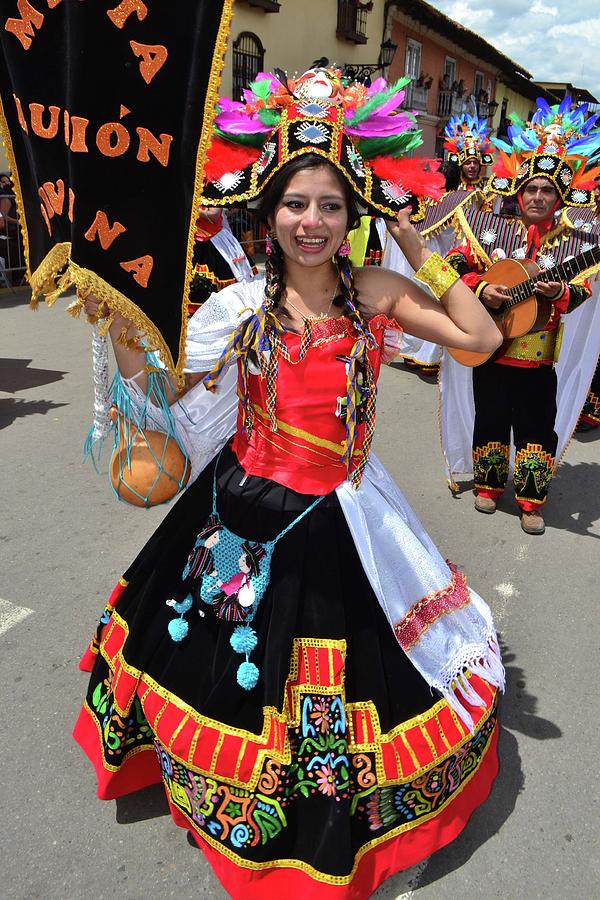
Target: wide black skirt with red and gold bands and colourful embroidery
{"type": "Point", "coordinates": [339, 767]}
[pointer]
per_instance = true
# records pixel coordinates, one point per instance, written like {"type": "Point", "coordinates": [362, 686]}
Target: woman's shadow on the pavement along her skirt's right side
{"type": "Point", "coordinates": [517, 713]}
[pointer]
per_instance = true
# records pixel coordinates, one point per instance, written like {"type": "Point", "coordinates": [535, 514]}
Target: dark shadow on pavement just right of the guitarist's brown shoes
{"type": "Point", "coordinates": [575, 499]}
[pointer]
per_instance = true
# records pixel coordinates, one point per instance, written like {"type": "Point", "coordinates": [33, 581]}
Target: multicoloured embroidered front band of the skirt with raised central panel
{"type": "Point", "coordinates": [240, 820]}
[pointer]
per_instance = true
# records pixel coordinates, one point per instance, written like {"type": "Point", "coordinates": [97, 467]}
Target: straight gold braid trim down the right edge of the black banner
{"type": "Point", "coordinates": [210, 104]}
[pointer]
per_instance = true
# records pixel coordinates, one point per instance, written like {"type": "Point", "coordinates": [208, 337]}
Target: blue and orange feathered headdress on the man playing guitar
{"type": "Point", "coordinates": [559, 143]}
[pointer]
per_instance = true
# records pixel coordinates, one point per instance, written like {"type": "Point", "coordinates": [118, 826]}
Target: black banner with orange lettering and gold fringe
{"type": "Point", "coordinates": [106, 112]}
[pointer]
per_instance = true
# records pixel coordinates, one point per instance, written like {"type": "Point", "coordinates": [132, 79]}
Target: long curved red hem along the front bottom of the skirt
{"type": "Point", "coordinates": [381, 862]}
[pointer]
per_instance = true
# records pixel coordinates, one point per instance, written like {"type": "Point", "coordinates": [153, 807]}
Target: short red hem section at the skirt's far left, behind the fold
{"type": "Point", "coordinates": [138, 771]}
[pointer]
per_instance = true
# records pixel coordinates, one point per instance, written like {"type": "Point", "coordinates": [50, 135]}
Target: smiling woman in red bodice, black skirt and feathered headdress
{"type": "Point", "coordinates": [346, 728]}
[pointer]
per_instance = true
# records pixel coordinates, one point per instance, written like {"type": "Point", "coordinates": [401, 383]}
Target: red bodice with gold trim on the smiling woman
{"type": "Point", "coordinates": [305, 451]}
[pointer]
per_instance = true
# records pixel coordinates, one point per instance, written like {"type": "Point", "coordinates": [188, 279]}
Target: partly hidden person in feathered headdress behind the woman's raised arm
{"type": "Point", "coordinates": [468, 148]}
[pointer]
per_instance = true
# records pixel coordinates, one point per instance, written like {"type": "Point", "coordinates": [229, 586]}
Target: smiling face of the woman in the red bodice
{"type": "Point", "coordinates": [311, 218]}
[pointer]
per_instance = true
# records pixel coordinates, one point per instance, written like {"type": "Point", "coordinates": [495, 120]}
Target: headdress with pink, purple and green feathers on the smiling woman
{"type": "Point", "coordinates": [360, 130]}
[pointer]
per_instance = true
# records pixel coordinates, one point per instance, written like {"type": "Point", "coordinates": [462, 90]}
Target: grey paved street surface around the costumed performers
{"type": "Point", "coordinates": [64, 540]}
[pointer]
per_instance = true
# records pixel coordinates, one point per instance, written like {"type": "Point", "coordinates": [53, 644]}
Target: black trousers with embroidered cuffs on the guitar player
{"type": "Point", "coordinates": [522, 400]}
